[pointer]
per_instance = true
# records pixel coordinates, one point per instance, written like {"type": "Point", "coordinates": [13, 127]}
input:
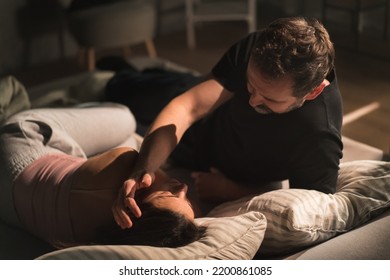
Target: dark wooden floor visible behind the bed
{"type": "Point", "coordinates": [364, 80]}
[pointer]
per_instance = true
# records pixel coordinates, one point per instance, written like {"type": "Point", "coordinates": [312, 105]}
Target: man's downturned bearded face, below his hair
{"type": "Point", "coordinates": [271, 96]}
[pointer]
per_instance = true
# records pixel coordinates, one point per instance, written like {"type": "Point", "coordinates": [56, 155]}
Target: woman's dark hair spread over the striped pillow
{"type": "Point", "coordinates": [156, 227]}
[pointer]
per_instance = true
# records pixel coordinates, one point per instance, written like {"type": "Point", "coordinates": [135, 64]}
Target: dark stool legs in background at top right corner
{"type": "Point", "coordinates": [354, 8]}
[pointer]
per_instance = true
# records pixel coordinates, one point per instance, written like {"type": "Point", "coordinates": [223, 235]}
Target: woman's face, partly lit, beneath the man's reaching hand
{"type": "Point", "coordinates": [171, 195]}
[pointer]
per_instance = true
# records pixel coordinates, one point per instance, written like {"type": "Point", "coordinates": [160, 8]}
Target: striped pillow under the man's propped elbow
{"type": "Point", "coordinates": [297, 218]}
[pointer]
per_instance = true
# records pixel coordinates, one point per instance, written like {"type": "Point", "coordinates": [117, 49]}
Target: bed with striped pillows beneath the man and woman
{"type": "Point", "coordinates": [353, 223]}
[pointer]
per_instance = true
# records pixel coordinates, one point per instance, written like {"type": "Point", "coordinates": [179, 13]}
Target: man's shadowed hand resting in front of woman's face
{"type": "Point", "coordinates": [213, 186]}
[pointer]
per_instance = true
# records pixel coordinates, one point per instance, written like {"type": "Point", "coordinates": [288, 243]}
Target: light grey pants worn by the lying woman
{"type": "Point", "coordinates": [78, 131]}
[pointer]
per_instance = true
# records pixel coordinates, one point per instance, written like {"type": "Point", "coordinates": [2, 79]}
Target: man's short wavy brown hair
{"type": "Point", "coordinates": [297, 47]}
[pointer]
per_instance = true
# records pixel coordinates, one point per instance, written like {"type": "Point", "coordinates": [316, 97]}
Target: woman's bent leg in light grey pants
{"type": "Point", "coordinates": [79, 131]}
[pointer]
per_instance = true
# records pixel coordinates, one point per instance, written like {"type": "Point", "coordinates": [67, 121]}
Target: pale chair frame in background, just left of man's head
{"type": "Point", "coordinates": [218, 10]}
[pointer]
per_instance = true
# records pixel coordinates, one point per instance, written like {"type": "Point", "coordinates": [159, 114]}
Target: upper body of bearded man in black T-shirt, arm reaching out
{"type": "Point", "coordinates": [270, 111]}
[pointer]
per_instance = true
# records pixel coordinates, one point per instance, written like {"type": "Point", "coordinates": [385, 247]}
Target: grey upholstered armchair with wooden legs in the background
{"type": "Point", "coordinates": [109, 24]}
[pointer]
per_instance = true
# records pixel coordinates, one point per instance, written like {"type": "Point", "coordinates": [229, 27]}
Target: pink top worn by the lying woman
{"type": "Point", "coordinates": [41, 196]}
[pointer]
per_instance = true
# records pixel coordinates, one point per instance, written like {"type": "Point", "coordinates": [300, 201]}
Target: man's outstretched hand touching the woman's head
{"type": "Point", "coordinates": [125, 202]}
